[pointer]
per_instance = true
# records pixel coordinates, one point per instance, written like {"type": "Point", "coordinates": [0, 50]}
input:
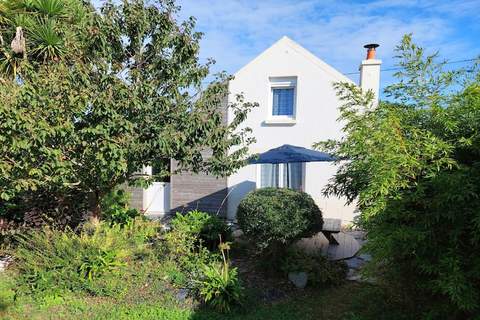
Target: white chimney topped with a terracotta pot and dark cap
{"type": "Point", "coordinates": [370, 71]}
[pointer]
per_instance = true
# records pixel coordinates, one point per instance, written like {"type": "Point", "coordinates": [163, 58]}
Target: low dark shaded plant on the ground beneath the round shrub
{"type": "Point", "coordinates": [321, 271]}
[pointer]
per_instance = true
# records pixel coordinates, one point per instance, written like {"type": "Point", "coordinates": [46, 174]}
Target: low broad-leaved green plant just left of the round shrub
{"type": "Point", "coordinates": [208, 228]}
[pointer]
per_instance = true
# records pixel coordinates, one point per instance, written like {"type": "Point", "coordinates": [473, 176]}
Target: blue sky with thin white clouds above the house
{"type": "Point", "coordinates": [238, 30]}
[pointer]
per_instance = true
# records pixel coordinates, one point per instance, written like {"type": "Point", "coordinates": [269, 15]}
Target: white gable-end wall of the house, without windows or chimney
{"type": "Point", "coordinates": [316, 118]}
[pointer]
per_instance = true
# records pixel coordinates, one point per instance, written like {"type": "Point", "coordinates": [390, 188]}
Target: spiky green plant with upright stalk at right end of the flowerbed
{"type": "Point", "coordinates": [220, 286]}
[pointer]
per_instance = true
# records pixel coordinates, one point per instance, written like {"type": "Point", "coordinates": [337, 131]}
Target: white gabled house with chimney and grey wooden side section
{"type": "Point", "coordinates": [297, 106]}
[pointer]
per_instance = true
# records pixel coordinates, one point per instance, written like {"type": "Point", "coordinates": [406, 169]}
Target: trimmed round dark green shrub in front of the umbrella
{"type": "Point", "coordinates": [274, 218]}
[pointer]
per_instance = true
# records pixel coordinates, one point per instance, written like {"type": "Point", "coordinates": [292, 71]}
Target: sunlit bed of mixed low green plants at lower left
{"type": "Point", "coordinates": [122, 263]}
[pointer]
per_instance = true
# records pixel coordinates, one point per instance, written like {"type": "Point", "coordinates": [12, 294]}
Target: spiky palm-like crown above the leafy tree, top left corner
{"type": "Point", "coordinates": [50, 28]}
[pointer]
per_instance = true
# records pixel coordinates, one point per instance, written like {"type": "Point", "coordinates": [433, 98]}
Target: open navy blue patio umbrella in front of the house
{"type": "Point", "coordinates": [288, 153]}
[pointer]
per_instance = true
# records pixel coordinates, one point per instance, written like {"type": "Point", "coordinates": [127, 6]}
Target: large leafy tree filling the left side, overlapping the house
{"type": "Point", "coordinates": [75, 129]}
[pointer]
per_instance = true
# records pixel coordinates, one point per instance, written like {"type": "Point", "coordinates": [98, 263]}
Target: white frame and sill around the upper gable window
{"type": "Point", "coordinates": [281, 83]}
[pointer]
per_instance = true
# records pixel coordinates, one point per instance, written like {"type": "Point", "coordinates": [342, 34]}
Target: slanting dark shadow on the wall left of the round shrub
{"type": "Point", "coordinates": [219, 202]}
